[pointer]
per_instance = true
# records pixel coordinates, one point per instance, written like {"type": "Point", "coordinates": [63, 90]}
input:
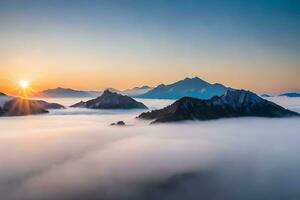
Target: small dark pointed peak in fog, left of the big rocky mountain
{"type": "Point", "coordinates": [111, 100]}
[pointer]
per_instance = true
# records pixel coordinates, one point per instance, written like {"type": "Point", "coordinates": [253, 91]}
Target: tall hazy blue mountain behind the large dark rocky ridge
{"type": "Point", "coordinates": [189, 87]}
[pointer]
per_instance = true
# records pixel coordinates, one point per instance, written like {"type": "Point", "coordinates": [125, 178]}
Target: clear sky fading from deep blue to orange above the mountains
{"type": "Point", "coordinates": [125, 43]}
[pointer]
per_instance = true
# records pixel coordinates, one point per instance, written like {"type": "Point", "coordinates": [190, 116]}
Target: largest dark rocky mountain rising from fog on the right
{"type": "Point", "coordinates": [234, 103]}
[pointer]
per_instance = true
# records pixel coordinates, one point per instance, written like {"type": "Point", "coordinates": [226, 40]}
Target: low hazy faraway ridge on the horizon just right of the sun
{"type": "Point", "coordinates": [66, 92]}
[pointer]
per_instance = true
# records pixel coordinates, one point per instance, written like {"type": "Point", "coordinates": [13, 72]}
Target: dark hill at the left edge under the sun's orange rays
{"type": "Point", "coordinates": [20, 107]}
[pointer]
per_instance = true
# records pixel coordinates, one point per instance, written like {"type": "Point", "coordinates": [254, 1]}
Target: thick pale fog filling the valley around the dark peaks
{"type": "Point", "coordinates": [74, 154]}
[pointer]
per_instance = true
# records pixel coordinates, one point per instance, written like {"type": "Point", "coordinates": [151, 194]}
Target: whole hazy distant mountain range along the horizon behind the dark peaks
{"type": "Point", "coordinates": [188, 87]}
